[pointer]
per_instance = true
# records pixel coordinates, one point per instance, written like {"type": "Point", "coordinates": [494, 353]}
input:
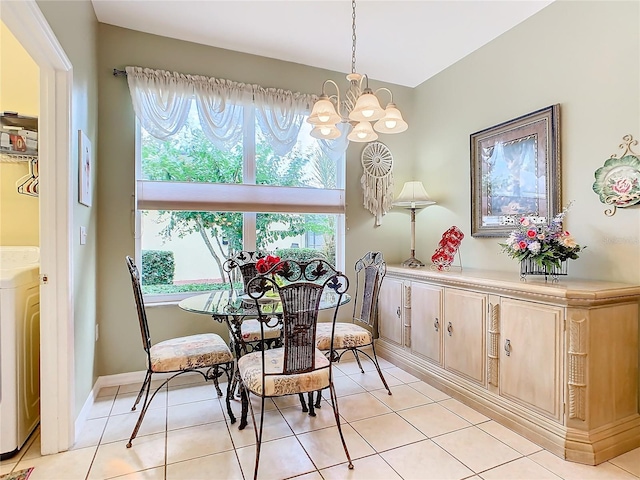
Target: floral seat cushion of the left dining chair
{"type": "Point", "coordinates": [194, 351]}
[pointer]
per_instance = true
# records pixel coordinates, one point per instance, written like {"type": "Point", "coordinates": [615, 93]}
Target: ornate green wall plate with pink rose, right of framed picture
{"type": "Point", "coordinates": [618, 181]}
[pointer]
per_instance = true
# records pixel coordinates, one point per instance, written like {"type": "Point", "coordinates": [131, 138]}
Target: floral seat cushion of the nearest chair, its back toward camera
{"type": "Point", "coordinates": [250, 367]}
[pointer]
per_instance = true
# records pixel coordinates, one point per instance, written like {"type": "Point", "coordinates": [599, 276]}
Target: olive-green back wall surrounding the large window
{"type": "Point", "coordinates": [119, 346]}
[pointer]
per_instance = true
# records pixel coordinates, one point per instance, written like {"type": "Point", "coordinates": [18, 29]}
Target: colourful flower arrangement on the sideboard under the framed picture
{"type": "Point", "coordinates": [546, 245]}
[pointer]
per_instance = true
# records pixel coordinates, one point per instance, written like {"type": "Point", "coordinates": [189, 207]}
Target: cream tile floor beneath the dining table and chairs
{"type": "Point", "coordinates": [418, 433]}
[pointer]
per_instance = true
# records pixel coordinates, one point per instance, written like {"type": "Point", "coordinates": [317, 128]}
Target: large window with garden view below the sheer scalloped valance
{"type": "Point", "coordinates": [197, 204]}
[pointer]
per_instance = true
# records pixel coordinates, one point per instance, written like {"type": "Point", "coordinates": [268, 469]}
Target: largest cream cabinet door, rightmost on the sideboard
{"type": "Point", "coordinates": [531, 355]}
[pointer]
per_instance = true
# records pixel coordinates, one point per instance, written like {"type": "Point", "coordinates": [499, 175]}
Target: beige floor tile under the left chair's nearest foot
{"type": "Point", "coordinates": [114, 459]}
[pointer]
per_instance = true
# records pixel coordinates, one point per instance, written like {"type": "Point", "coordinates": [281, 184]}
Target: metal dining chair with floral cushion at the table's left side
{"type": "Point", "coordinates": [206, 354]}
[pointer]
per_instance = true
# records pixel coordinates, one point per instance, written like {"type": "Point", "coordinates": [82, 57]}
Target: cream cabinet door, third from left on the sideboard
{"type": "Point", "coordinates": [464, 335]}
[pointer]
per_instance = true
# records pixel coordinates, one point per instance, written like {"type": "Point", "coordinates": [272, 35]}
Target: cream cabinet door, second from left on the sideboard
{"type": "Point", "coordinates": [426, 321]}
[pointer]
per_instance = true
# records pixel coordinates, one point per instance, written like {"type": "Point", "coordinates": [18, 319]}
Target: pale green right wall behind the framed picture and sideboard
{"type": "Point", "coordinates": [583, 55]}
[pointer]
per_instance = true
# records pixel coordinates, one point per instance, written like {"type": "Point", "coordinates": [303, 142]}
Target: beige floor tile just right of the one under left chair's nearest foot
{"type": "Point", "coordinates": [198, 441]}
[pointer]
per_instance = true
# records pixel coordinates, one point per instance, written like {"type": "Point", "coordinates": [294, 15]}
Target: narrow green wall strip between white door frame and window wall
{"type": "Point", "coordinates": [75, 26]}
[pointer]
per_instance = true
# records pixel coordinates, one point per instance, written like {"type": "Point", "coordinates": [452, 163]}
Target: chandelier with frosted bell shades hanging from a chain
{"type": "Point", "coordinates": [360, 107]}
